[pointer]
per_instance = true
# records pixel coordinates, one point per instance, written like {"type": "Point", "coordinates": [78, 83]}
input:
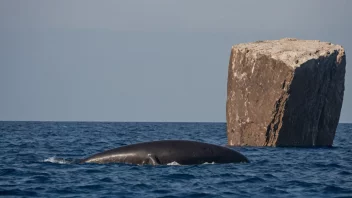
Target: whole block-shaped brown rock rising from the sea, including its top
{"type": "Point", "coordinates": [284, 92]}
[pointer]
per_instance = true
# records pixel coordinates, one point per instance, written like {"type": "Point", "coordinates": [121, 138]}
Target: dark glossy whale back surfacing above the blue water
{"type": "Point", "coordinates": [183, 152]}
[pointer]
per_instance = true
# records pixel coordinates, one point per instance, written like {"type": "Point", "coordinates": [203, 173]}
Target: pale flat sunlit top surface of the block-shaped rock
{"type": "Point", "coordinates": [291, 51]}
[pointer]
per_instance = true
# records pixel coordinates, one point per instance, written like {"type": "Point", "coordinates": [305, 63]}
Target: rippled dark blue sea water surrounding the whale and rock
{"type": "Point", "coordinates": [35, 161]}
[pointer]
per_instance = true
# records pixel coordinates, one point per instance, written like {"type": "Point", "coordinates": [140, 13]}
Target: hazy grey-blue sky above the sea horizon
{"type": "Point", "coordinates": [156, 60]}
